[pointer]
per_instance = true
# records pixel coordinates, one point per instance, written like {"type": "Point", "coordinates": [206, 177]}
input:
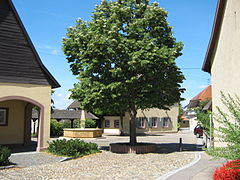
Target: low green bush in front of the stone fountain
{"type": "Point", "coordinates": [72, 148]}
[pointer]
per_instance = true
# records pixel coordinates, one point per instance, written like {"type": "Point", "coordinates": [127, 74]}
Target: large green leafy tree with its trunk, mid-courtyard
{"type": "Point", "coordinates": [126, 56]}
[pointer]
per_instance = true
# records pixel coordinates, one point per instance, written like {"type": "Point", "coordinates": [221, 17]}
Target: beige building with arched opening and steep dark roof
{"type": "Point", "coordinates": [24, 83]}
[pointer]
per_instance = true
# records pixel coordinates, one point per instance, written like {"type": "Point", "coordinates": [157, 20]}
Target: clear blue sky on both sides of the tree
{"type": "Point", "coordinates": [46, 22]}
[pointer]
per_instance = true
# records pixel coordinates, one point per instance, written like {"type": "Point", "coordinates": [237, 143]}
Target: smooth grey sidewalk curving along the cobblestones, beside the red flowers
{"type": "Point", "coordinates": [202, 170]}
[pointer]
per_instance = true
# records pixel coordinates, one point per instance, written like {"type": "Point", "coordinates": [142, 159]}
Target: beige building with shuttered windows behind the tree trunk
{"type": "Point", "coordinates": [152, 120]}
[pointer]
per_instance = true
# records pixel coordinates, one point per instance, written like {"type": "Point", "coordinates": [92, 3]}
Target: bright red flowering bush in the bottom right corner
{"type": "Point", "coordinates": [230, 170]}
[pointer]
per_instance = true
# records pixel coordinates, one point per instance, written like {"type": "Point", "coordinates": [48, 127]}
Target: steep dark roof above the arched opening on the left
{"type": "Point", "coordinates": [19, 61]}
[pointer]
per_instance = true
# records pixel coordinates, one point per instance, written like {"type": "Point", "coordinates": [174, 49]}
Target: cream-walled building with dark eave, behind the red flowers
{"type": "Point", "coordinates": [222, 59]}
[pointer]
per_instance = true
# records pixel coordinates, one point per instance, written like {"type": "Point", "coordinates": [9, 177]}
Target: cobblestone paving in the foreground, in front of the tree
{"type": "Point", "coordinates": [105, 165]}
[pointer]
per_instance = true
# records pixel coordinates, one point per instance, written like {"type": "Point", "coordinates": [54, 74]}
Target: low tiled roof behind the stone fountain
{"type": "Point", "coordinates": [65, 114]}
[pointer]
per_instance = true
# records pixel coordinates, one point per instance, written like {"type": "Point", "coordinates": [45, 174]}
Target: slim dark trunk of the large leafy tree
{"type": "Point", "coordinates": [133, 137]}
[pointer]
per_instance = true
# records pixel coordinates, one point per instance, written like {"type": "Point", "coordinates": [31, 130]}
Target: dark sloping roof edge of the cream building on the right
{"type": "Point", "coordinates": [209, 57]}
